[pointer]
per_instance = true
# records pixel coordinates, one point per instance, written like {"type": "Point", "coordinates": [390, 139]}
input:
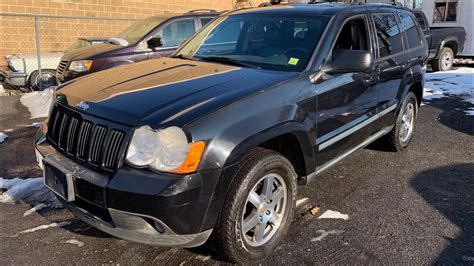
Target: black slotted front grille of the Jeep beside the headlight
{"type": "Point", "coordinates": [96, 143]}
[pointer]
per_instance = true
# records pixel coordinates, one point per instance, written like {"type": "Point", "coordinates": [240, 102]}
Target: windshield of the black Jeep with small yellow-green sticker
{"type": "Point", "coordinates": [266, 42]}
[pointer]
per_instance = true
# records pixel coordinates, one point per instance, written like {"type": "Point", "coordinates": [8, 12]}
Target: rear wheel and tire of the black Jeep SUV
{"type": "Point", "coordinates": [401, 134]}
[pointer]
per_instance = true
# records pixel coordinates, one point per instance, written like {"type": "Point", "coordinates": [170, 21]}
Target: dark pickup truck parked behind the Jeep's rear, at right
{"type": "Point", "coordinates": [444, 43]}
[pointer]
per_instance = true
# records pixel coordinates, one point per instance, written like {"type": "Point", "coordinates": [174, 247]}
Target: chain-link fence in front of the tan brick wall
{"type": "Point", "coordinates": [31, 46]}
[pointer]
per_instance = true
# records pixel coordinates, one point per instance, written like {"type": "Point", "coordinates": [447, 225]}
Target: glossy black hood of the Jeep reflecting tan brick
{"type": "Point", "coordinates": [164, 91]}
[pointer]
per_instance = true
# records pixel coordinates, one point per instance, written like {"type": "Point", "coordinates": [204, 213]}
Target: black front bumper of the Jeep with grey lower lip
{"type": "Point", "coordinates": [141, 206]}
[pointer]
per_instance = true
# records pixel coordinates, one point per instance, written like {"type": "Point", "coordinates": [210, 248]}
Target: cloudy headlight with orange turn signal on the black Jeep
{"type": "Point", "coordinates": [165, 150]}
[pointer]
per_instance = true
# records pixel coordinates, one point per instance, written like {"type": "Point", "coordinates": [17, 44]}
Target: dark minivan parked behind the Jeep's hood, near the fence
{"type": "Point", "coordinates": [151, 38]}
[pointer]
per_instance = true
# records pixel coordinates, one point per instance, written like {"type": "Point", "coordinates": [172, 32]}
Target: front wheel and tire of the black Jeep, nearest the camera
{"type": "Point", "coordinates": [258, 208]}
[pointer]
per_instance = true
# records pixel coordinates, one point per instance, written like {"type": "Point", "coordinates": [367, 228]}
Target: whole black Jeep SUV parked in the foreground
{"type": "Point", "coordinates": [217, 138]}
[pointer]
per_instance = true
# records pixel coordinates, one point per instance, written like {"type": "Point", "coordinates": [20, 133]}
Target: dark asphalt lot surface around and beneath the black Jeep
{"type": "Point", "coordinates": [413, 207]}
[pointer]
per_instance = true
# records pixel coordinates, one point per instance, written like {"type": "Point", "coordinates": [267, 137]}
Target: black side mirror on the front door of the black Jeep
{"type": "Point", "coordinates": [345, 61]}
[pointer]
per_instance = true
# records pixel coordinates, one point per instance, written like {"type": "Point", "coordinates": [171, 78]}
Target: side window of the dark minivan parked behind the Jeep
{"type": "Point", "coordinates": [176, 32]}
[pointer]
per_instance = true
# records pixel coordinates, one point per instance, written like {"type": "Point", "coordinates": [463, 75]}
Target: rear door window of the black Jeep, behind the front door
{"type": "Point", "coordinates": [388, 35]}
